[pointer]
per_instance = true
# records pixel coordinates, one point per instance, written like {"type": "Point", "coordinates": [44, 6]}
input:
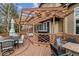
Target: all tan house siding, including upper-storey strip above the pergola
{"type": "Point", "coordinates": [68, 22]}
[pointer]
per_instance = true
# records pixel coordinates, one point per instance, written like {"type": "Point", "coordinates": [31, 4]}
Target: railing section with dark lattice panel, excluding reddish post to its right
{"type": "Point", "coordinates": [41, 37]}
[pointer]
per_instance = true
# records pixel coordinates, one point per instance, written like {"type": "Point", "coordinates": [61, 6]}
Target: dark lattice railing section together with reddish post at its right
{"type": "Point", "coordinates": [45, 38]}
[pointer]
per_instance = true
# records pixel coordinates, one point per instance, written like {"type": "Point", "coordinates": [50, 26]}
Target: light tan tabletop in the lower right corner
{"type": "Point", "coordinates": [72, 48]}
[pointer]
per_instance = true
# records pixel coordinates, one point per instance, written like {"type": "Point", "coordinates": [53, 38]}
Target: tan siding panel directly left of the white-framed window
{"type": "Point", "coordinates": [69, 23]}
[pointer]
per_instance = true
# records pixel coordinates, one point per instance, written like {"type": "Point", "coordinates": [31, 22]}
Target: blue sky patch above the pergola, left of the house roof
{"type": "Point", "coordinates": [26, 5]}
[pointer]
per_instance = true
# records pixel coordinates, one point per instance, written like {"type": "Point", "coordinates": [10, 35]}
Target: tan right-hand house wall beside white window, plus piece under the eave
{"type": "Point", "coordinates": [69, 21]}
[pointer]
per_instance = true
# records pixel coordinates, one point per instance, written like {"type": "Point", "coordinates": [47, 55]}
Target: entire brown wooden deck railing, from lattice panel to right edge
{"type": "Point", "coordinates": [51, 38]}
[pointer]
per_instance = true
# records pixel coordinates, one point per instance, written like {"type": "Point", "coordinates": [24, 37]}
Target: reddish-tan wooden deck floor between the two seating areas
{"type": "Point", "coordinates": [32, 49]}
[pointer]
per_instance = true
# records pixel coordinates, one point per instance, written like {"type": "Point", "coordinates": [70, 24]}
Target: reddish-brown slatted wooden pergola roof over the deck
{"type": "Point", "coordinates": [36, 15]}
